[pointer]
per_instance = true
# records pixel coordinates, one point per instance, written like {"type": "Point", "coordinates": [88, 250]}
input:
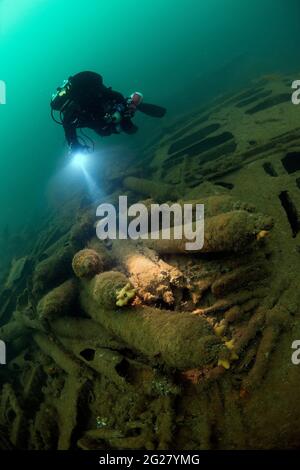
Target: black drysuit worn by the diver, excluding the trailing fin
{"type": "Point", "coordinates": [86, 102]}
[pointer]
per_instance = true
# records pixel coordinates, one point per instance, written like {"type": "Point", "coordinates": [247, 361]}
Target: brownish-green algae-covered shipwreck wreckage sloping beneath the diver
{"type": "Point", "coordinates": [143, 345]}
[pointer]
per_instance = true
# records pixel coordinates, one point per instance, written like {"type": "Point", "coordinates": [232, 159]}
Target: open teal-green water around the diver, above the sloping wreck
{"type": "Point", "coordinates": [177, 52]}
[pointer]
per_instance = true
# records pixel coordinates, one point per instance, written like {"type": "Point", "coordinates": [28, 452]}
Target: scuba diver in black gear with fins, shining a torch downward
{"type": "Point", "coordinates": [83, 101]}
